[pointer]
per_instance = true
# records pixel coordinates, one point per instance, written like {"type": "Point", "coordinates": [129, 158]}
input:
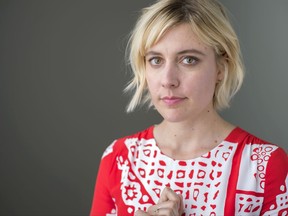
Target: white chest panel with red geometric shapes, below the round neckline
{"type": "Point", "coordinates": [202, 181]}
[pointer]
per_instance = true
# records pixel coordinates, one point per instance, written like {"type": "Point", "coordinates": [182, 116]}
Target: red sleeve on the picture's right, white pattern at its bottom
{"type": "Point", "coordinates": [276, 185]}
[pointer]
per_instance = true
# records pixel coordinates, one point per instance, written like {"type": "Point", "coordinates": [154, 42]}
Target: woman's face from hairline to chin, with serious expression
{"type": "Point", "coordinates": [181, 74]}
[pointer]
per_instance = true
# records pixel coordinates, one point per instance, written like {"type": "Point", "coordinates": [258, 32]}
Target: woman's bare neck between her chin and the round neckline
{"type": "Point", "coordinates": [189, 138]}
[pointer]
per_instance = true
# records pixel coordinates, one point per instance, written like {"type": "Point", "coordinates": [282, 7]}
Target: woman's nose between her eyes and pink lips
{"type": "Point", "coordinates": [170, 77]}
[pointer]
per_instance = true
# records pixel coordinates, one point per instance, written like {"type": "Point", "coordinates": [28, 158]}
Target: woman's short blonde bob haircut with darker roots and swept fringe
{"type": "Point", "coordinates": [208, 21]}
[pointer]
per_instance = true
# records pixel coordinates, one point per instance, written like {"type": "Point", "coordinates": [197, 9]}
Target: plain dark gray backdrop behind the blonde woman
{"type": "Point", "coordinates": [62, 72]}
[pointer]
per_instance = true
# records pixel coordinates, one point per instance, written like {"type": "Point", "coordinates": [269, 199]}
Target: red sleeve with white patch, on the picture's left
{"type": "Point", "coordinates": [103, 203]}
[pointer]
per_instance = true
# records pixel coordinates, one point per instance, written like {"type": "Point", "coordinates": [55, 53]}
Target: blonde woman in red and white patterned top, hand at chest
{"type": "Point", "coordinates": [187, 64]}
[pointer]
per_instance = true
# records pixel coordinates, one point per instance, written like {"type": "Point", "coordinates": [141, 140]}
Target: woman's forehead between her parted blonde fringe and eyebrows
{"type": "Point", "coordinates": [177, 38]}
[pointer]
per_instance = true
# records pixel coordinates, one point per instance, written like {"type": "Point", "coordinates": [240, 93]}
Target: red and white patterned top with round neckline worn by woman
{"type": "Point", "coordinates": [241, 176]}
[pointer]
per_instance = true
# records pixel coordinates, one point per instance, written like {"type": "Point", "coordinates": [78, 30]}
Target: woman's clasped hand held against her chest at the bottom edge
{"type": "Point", "coordinates": [169, 204]}
